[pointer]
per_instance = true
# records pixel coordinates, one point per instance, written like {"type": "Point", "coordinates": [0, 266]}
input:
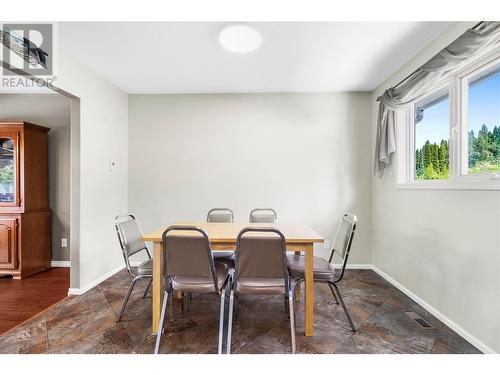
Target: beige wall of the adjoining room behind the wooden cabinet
{"type": "Point", "coordinates": [52, 111]}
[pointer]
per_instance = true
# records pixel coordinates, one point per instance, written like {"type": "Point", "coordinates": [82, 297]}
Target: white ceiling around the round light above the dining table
{"type": "Point", "coordinates": [185, 57]}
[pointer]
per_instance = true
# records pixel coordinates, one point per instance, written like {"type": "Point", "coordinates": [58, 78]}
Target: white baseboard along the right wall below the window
{"type": "Point", "coordinates": [443, 318]}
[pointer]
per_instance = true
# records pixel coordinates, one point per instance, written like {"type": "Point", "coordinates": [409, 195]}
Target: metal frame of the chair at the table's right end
{"type": "Point", "coordinates": [346, 250]}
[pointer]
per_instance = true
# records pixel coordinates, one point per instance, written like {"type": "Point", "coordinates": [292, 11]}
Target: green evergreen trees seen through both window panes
{"type": "Point", "coordinates": [432, 160]}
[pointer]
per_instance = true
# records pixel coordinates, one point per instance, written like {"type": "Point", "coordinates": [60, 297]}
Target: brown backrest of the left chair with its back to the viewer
{"type": "Point", "coordinates": [187, 252]}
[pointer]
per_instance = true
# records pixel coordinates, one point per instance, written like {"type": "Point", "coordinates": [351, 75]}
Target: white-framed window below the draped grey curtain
{"type": "Point", "coordinates": [451, 137]}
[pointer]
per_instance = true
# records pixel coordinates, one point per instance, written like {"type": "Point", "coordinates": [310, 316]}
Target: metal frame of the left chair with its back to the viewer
{"type": "Point", "coordinates": [169, 290]}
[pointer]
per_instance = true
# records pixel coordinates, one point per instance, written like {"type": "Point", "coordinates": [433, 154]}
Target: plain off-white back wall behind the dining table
{"type": "Point", "coordinates": [306, 155]}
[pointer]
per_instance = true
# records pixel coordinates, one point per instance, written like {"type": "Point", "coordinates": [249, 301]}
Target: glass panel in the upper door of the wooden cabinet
{"type": "Point", "coordinates": [7, 170]}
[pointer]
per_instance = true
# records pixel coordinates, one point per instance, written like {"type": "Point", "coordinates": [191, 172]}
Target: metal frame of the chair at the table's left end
{"type": "Point", "coordinates": [120, 219]}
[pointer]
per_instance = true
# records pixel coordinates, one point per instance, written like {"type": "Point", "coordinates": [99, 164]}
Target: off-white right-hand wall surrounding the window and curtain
{"type": "Point", "coordinates": [444, 246]}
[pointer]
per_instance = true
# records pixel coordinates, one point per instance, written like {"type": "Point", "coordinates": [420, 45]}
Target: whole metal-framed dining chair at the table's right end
{"type": "Point", "coordinates": [324, 272]}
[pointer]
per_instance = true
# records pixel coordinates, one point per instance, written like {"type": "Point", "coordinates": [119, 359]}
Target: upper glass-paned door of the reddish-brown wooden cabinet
{"type": "Point", "coordinates": [9, 168]}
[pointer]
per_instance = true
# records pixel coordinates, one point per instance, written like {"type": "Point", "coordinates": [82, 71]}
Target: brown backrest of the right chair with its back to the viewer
{"type": "Point", "coordinates": [261, 256]}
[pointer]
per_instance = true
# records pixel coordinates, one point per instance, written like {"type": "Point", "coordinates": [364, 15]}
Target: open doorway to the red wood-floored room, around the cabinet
{"type": "Point", "coordinates": [17, 297]}
